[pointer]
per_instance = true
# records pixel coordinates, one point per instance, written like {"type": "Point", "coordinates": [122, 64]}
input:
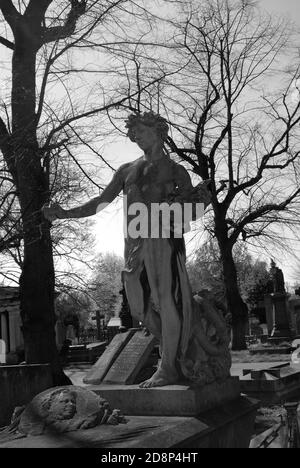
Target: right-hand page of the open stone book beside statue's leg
{"type": "Point", "coordinates": [131, 360]}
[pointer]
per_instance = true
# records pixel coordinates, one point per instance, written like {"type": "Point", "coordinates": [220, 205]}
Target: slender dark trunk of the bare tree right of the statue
{"type": "Point", "coordinates": [236, 305]}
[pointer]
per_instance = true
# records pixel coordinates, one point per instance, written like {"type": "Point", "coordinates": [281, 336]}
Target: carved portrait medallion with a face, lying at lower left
{"type": "Point", "coordinates": [59, 410]}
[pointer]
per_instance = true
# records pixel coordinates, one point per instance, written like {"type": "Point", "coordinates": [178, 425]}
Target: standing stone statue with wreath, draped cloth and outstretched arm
{"type": "Point", "coordinates": [192, 334]}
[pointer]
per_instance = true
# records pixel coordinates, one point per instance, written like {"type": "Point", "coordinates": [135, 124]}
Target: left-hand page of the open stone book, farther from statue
{"type": "Point", "coordinates": [106, 360]}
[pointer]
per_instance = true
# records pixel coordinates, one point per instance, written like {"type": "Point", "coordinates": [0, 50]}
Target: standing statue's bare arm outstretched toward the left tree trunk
{"type": "Point", "coordinates": [91, 207]}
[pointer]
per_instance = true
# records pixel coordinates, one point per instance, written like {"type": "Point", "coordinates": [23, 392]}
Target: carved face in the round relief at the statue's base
{"type": "Point", "coordinates": [60, 406]}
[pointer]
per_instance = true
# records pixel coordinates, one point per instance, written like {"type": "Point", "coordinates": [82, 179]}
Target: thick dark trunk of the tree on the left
{"type": "Point", "coordinates": [37, 280]}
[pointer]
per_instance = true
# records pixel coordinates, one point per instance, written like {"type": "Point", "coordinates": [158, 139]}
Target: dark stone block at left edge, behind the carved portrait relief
{"type": "Point", "coordinates": [19, 384]}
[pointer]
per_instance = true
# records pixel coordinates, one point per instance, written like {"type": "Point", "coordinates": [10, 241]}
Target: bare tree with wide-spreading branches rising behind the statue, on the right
{"type": "Point", "coordinates": [235, 111]}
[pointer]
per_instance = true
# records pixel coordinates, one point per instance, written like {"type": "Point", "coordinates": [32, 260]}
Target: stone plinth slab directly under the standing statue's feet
{"type": "Point", "coordinates": [171, 400]}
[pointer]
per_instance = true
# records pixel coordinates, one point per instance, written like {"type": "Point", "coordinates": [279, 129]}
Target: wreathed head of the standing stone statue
{"type": "Point", "coordinates": [147, 129]}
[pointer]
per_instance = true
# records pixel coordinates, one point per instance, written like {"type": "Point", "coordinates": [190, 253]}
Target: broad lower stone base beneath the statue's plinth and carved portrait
{"type": "Point", "coordinates": [228, 426]}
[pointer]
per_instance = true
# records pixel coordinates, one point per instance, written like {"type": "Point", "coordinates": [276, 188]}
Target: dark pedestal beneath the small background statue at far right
{"type": "Point", "coordinates": [281, 328]}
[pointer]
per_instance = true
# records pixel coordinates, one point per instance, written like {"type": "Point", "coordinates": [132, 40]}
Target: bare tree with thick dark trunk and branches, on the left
{"type": "Point", "coordinates": [45, 38]}
